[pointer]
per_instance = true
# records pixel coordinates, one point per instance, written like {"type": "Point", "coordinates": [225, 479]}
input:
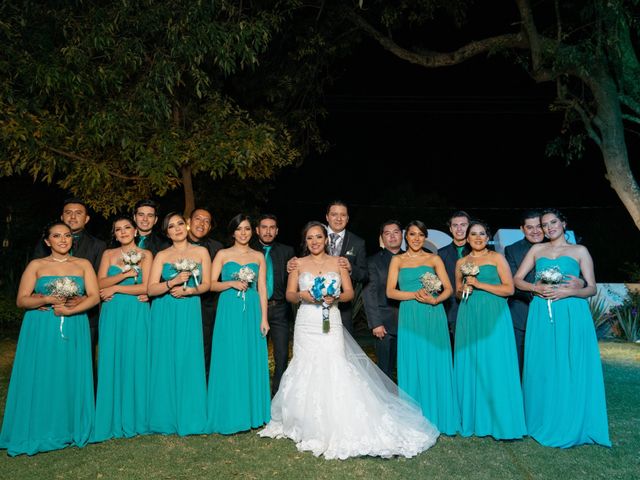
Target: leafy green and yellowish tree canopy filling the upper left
{"type": "Point", "coordinates": [118, 100]}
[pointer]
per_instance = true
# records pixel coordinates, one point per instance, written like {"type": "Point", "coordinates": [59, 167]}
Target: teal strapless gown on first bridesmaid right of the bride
{"type": "Point", "coordinates": [425, 369]}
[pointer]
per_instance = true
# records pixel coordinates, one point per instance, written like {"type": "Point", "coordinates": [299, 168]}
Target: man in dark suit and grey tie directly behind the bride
{"type": "Point", "coordinates": [351, 250]}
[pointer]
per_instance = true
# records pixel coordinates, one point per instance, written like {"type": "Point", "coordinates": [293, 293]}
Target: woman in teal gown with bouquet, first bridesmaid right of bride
{"type": "Point", "coordinates": [425, 369]}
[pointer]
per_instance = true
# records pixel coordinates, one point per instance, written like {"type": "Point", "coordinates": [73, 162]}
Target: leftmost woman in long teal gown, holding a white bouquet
{"type": "Point", "coordinates": [50, 399]}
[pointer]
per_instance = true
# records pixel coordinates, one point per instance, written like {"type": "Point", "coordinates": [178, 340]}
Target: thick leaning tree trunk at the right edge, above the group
{"type": "Point", "coordinates": [613, 144]}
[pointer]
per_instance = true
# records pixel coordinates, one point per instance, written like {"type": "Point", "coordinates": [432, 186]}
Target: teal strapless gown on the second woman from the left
{"type": "Point", "coordinates": [123, 366]}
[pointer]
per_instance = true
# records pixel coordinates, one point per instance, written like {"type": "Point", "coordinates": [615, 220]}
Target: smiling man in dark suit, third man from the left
{"type": "Point", "coordinates": [199, 226]}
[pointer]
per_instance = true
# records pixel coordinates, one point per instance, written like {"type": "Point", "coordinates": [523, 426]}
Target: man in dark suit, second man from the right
{"type": "Point", "coordinates": [458, 248]}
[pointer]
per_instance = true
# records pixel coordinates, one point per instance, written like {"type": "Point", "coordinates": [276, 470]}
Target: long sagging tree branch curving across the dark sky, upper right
{"type": "Point", "coordinates": [433, 59]}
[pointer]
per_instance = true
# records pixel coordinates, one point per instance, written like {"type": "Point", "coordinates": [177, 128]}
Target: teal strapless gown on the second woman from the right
{"type": "Point", "coordinates": [486, 365]}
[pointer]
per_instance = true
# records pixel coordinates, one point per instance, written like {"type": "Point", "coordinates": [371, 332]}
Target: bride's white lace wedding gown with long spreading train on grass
{"type": "Point", "coordinates": [334, 401]}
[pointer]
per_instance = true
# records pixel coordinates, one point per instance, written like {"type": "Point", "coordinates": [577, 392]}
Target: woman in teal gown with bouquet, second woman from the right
{"type": "Point", "coordinates": [485, 359]}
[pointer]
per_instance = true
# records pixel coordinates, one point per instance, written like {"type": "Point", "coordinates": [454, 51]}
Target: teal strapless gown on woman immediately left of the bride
{"type": "Point", "coordinates": [239, 394]}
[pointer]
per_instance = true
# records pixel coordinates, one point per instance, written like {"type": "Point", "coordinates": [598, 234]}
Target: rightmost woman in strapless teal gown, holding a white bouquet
{"type": "Point", "coordinates": [562, 380]}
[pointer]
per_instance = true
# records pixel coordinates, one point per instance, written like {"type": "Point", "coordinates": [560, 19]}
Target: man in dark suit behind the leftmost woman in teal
{"type": "Point", "coordinates": [76, 215]}
